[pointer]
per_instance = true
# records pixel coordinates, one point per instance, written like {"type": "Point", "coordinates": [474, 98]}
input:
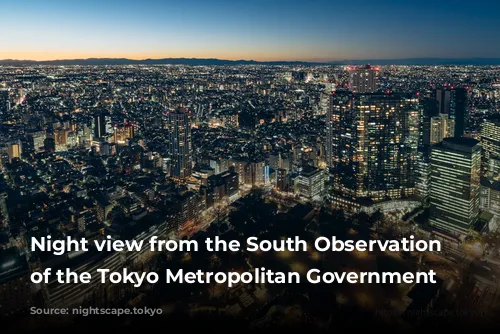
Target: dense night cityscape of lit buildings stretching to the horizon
{"type": "Point", "coordinates": [186, 152]}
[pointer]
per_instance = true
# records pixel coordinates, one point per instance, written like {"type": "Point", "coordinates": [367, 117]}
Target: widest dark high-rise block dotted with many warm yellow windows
{"type": "Point", "coordinates": [371, 145]}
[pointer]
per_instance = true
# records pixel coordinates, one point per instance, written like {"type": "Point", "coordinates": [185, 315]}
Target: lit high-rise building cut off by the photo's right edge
{"type": "Point", "coordinates": [490, 141]}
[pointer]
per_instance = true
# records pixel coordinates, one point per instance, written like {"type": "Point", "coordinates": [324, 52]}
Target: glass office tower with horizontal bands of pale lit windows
{"type": "Point", "coordinates": [455, 184]}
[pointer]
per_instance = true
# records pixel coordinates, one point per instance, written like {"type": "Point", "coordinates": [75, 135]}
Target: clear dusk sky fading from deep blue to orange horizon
{"type": "Point", "coordinates": [260, 30]}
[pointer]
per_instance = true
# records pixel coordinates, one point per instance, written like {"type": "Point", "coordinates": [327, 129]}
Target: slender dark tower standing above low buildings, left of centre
{"type": "Point", "coordinates": [180, 146]}
